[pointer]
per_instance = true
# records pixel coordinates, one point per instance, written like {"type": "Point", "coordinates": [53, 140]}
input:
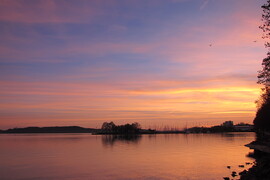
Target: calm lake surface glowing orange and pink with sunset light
{"type": "Point", "coordinates": [147, 157]}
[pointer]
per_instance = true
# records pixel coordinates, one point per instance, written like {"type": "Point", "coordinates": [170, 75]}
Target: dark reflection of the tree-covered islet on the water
{"type": "Point", "coordinates": [112, 139]}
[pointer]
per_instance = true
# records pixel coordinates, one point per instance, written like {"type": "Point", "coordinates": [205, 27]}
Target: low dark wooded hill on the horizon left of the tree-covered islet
{"type": "Point", "coordinates": [56, 129]}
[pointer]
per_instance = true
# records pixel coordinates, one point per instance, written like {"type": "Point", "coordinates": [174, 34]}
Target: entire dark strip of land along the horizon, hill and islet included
{"type": "Point", "coordinates": [109, 128]}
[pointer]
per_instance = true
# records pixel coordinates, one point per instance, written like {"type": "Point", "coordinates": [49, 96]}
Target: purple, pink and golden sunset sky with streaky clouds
{"type": "Point", "coordinates": [156, 62]}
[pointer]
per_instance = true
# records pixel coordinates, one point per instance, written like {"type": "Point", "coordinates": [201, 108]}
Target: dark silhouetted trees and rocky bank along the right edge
{"type": "Point", "coordinates": [261, 146]}
